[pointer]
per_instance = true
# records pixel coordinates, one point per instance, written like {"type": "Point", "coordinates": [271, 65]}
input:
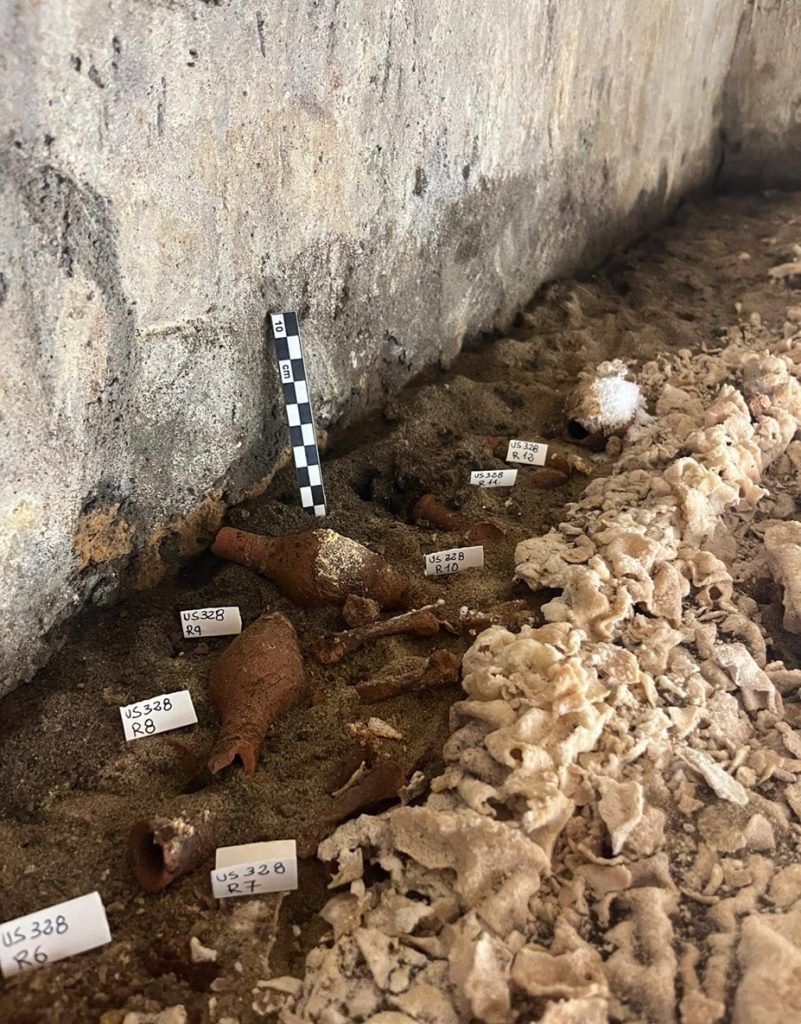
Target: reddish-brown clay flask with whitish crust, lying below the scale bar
{"type": "Point", "coordinates": [317, 568]}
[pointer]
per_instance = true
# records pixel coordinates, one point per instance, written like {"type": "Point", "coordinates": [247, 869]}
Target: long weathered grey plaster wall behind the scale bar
{"type": "Point", "coordinates": [401, 174]}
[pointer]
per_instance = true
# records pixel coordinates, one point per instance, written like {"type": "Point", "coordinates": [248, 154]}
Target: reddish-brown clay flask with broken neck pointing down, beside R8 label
{"type": "Point", "coordinates": [258, 678]}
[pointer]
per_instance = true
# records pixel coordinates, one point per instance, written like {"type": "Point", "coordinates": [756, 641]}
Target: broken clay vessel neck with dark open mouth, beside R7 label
{"type": "Point", "coordinates": [162, 849]}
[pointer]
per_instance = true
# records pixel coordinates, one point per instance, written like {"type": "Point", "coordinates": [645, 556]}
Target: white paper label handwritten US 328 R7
{"type": "Point", "coordinates": [255, 869]}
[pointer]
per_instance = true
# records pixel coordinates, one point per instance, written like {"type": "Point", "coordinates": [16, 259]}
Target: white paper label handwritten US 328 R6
{"type": "Point", "coordinates": [53, 934]}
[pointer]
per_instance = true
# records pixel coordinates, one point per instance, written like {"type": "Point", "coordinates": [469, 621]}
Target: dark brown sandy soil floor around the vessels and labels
{"type": "Point", "coordinates": [72, 787]}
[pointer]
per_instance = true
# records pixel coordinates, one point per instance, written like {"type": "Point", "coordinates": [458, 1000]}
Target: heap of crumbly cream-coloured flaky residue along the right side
{"type": "Point", "coordinates": [600, 845]}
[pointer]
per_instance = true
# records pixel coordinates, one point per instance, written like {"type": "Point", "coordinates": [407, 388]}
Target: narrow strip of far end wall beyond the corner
{"type": "Point", "coordinates": [763, 99]}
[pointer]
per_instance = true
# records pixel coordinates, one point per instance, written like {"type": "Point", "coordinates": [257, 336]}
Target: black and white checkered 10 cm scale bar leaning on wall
{"type": "Point", "coordinates": [294, 383]}
